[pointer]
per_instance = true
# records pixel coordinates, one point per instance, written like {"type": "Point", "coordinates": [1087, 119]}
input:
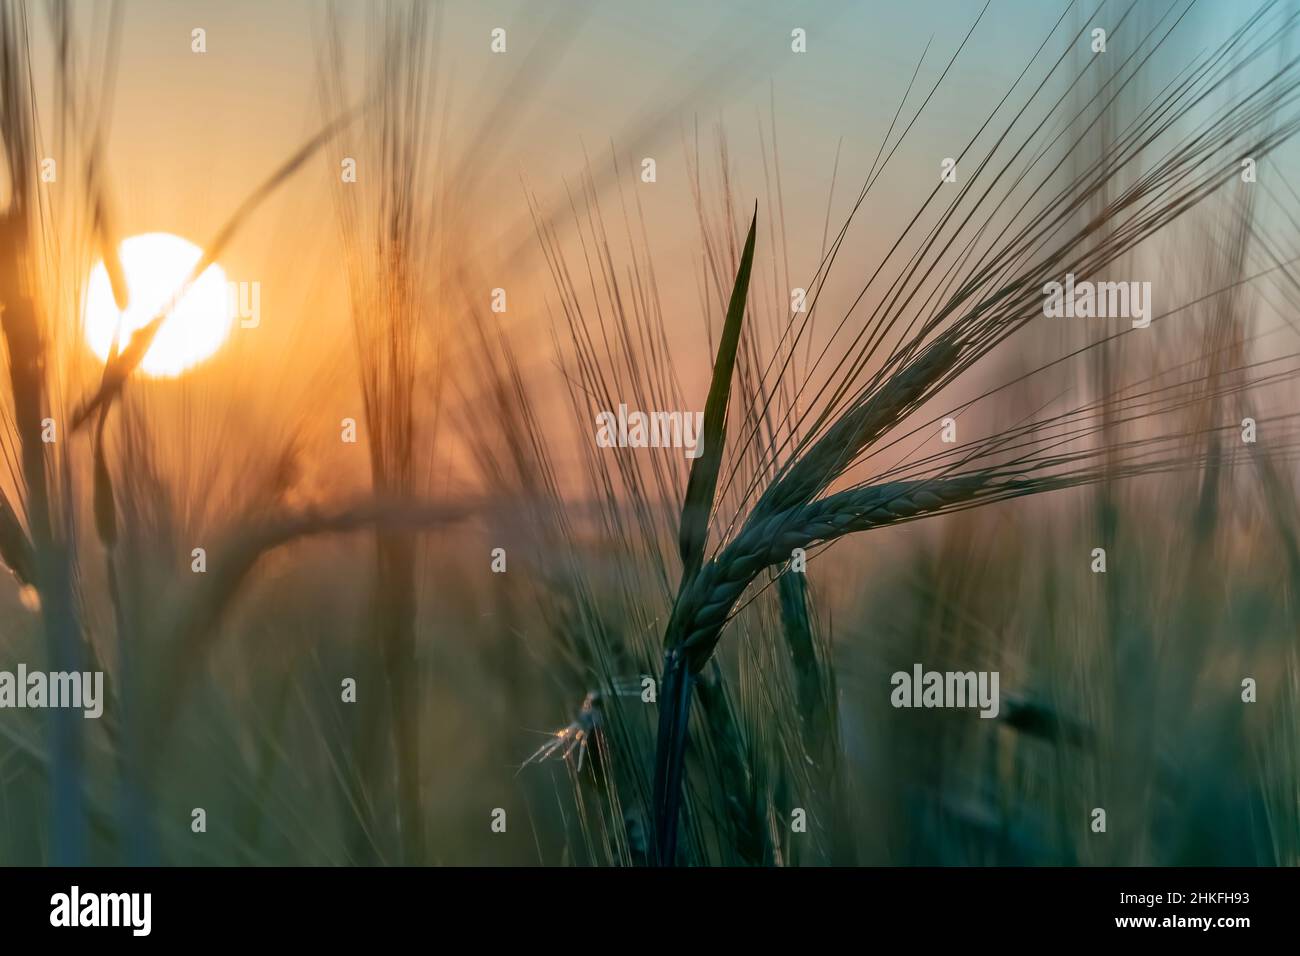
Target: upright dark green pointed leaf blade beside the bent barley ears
{"type": "Point", "coordinates": [703, 485]}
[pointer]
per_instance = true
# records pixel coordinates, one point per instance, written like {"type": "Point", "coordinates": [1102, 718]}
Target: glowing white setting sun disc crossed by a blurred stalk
{"type": "Point", "coordinates": [155, 266]}
